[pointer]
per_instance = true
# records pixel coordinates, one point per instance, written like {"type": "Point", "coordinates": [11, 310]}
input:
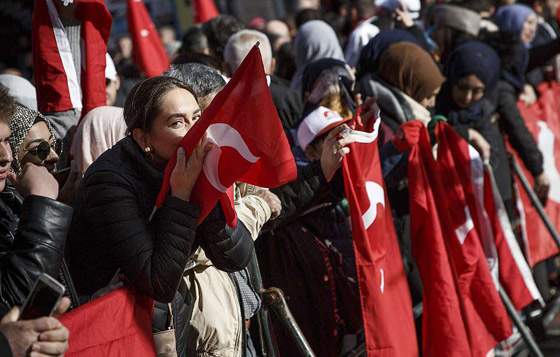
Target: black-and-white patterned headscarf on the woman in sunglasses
{"type": "Point", "coordinates": [20, 124]}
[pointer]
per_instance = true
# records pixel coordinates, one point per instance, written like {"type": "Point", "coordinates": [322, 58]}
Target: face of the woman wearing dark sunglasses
{"type": "Point", "coordinates": [39, 132]}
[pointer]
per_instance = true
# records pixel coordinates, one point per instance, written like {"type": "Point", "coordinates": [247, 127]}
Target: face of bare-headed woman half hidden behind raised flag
{"type": "Point", "coordinates": [179, 112]}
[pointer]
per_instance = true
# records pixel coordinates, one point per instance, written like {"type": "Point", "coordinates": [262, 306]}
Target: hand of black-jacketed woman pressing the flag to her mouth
{"type": "Point", "coordinates": [186, 171]}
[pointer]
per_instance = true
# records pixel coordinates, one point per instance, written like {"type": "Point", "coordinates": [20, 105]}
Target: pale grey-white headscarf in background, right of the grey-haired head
{"type": "Point", "coordinates": [314, 40]}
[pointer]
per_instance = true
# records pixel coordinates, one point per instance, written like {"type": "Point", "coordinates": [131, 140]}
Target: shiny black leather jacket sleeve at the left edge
{"type": "Point", "coordinates": [32, 242]}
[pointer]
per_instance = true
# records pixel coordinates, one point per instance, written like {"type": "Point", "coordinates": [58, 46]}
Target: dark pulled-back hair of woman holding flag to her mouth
{"type": "Point", "coordinates": [143, 103]}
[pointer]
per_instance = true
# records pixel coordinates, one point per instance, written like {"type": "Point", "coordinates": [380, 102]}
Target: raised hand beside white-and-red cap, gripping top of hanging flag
{"type": "Point", "coordinates": [334, 149]}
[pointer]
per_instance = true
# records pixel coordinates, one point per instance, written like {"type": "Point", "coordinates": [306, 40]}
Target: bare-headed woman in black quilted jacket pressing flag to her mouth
{"type": "Point", "coordinates": [115, 226]}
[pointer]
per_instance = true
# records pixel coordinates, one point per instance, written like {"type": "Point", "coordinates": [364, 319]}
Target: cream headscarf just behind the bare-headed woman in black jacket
{"type": "Point", "coordinates": [100, 129]}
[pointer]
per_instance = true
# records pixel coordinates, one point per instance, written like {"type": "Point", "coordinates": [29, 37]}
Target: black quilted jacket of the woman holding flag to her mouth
{"type": "Point", "coordinates": [111, 232]}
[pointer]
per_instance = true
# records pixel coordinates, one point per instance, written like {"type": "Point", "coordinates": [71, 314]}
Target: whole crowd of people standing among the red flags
{"type": "Point", "coordinates": [78, 191]}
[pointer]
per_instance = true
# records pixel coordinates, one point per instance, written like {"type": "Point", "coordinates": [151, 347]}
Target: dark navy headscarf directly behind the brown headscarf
{"type": "Point", "coordinates": [369, 57]}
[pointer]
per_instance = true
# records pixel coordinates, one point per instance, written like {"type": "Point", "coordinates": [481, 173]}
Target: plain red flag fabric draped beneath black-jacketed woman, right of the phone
{"type": "Point", "coordinates": [118, 324]}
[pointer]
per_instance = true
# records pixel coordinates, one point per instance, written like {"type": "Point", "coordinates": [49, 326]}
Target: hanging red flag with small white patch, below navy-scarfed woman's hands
{"type": "Point", "coordinates": [486, 318]}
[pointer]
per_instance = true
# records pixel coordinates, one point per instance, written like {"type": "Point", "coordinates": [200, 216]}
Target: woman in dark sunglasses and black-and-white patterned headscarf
{"type": "Point", "coordinates": [33, 141]}
